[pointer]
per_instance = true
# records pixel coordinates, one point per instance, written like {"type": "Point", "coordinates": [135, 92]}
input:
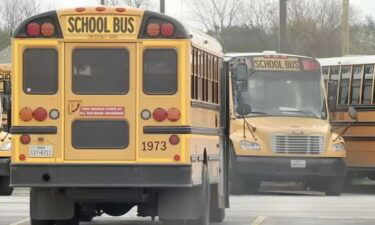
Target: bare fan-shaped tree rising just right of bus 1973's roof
{"type": "Point", "coordinates": [215, 15]}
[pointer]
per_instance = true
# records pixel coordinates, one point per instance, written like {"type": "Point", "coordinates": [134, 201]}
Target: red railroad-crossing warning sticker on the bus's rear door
{"type": "Point", "coordinates": [102, 111]}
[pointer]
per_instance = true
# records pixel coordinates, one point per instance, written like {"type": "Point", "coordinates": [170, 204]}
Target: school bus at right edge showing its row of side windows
{"type": "Point", "coordinates": [350, 83]}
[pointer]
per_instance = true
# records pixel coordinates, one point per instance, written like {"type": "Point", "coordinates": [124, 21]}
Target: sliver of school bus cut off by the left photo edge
{"type": "Point", "coordinates": [5, 138]}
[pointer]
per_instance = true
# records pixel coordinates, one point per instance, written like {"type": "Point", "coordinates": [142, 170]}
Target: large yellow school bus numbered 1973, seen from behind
{"type": "Point", "coordinates": [114, 108]}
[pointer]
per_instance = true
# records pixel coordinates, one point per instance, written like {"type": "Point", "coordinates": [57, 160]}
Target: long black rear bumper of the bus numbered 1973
{"type": "Point", "coordinates": [78, 175]}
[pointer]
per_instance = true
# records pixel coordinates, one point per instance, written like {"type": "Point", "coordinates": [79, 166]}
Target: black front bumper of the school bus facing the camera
{"type": "Point", "coordinates": [280, 167]}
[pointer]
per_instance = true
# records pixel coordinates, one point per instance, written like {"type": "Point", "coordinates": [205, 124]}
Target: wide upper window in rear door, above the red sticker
{"type": "Point", "coordinates": [100, 71]}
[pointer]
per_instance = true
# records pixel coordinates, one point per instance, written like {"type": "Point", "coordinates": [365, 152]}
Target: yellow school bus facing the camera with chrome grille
{"type": "Point", "coordinates": [279, 127]}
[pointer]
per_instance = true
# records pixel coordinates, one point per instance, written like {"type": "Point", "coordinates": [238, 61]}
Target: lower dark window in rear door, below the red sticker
{"type": "Point", "coordinates": [100, 134]}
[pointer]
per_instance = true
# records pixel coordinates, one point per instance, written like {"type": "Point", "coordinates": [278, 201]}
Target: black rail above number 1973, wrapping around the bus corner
{"type": "Point", "coordinates": [181, 130]}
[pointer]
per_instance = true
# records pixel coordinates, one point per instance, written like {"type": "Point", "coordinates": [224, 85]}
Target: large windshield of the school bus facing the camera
{"type": "Point", "coordinates": [298, 94]}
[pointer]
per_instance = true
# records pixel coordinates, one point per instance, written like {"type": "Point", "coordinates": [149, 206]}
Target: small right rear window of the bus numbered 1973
{"type": "Point", "coordinates": [160, 71]}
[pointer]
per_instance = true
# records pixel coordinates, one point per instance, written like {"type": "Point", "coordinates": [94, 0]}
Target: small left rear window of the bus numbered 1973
{"type": "Point", "coordinates": [40, 71]}
